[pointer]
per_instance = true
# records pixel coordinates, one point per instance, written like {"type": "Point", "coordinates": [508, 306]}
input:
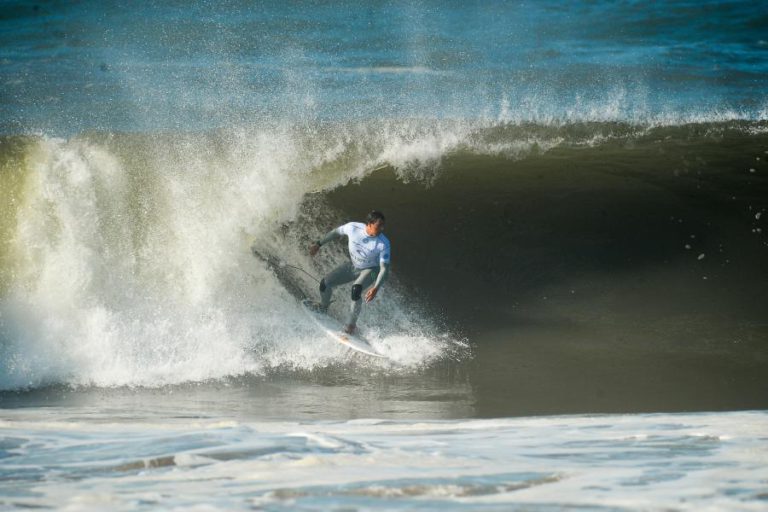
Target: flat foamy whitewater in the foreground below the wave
{"type": "Point", "coordinates": [646, 462]}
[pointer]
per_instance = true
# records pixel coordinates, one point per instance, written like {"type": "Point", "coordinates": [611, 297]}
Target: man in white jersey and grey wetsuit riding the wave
{"type": "Point", "coordinates": [369, 264]}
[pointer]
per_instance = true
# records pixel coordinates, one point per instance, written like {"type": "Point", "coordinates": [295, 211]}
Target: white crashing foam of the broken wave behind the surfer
{"type": "Point", "coordinates": [132, 261]}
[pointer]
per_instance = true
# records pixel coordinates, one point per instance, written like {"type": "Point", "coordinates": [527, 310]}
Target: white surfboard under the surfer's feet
{"type": "Point", "coordinates": [327, 324]}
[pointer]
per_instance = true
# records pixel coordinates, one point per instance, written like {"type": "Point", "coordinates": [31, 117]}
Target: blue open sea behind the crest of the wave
{"type": "Point", "coordinates": [178, 66]}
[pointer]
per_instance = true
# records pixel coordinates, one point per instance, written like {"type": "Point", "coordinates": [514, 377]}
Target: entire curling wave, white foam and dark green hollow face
{"type": "Point", "coordinates": [126, 257]}
